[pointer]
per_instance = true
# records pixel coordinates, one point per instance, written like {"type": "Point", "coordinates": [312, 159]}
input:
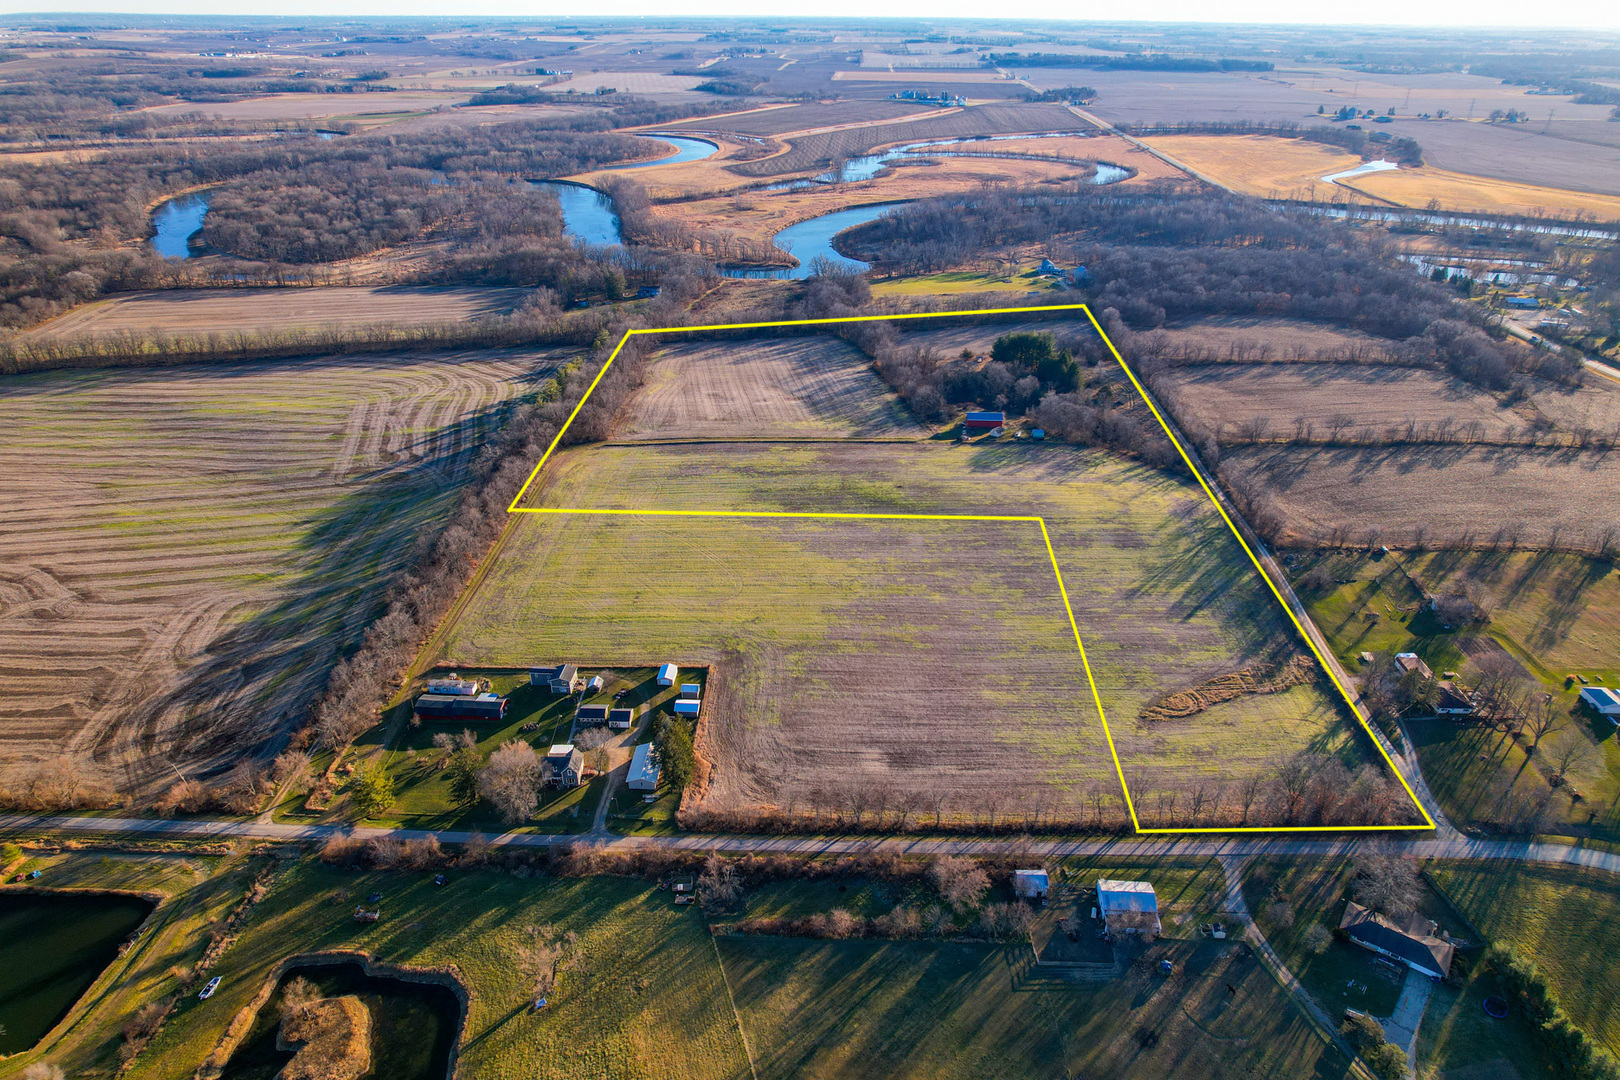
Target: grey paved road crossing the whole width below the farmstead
{"type": "Point", "coordinates": [1457, 848]}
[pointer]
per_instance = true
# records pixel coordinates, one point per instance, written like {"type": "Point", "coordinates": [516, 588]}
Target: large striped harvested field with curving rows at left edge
{"type": "Point", "coordinates": [185, 551]}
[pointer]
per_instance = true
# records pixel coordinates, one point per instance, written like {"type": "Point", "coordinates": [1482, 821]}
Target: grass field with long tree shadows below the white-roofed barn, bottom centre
{"type": "Point", "coordinates": [856, 1010]}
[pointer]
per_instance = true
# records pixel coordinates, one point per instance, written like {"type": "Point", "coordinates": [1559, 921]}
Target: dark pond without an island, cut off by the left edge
{"type": "Point", "coordinates": [53, 948]}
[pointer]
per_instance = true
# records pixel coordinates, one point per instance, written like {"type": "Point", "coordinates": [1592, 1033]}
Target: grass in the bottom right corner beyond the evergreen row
{"type": "Point", "coordinates": [1566, 921]}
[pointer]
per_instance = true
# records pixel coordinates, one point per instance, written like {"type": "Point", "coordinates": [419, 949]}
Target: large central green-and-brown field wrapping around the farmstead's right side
{"type": "Point", "coordinates": [866, 655]}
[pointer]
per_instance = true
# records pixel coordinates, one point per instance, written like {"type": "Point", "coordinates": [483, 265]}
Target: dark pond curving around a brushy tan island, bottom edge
{"type": "Point", "coordinates": [414, 1026]}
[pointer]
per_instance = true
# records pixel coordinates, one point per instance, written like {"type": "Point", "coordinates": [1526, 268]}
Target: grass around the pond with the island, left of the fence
{"type": "Point", "coordinates": [647, 993]}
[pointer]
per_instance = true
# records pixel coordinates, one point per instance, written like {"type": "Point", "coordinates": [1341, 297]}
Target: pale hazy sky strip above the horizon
{"type": "Point", "coordinates": [1462, 14]}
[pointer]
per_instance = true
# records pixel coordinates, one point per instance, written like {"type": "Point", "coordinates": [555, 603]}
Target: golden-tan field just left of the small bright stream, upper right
{"type": "Point", "coordinates": [1261, 166]}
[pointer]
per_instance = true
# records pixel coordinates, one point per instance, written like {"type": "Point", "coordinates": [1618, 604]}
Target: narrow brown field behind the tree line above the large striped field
{"type": "Point", "coordinates": [231, 310]}
